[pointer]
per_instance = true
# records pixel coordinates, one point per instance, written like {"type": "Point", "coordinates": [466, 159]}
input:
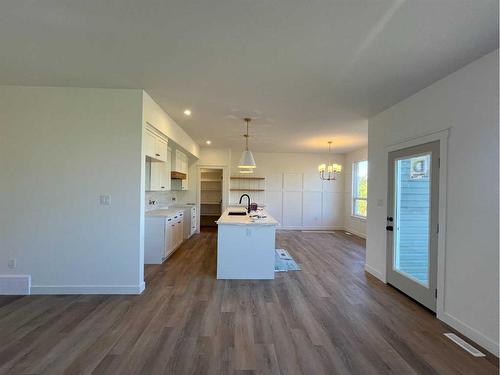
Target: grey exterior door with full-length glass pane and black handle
{"type": "Point", "coordinates": [412, 221]}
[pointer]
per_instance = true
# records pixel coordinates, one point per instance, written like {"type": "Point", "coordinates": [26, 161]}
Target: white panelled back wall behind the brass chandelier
{"type": "Point", "coordinates": [294, 194]}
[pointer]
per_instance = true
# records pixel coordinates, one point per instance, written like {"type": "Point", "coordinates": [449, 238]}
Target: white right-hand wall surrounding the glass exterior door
{"type": "Point", "coordinates": [467, 103]}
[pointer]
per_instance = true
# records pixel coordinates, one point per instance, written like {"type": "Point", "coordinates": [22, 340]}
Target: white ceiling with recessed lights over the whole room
{"type": "Point", "coordinates": [308, 71]}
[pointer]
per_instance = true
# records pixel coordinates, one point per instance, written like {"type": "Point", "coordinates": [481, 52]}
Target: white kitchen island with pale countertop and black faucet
{"type": "Point", "coordinates": [245, 246]}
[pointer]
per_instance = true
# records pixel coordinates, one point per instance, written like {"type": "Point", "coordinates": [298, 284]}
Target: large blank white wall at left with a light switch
{"type": "Point", "coordinates": [60, 149]}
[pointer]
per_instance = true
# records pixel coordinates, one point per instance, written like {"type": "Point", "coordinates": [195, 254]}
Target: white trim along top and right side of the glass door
{"type": "Point", "coordinates": [442, 137]}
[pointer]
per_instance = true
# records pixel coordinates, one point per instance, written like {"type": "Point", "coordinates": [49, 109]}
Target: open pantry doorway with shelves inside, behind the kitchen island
{"type": "Point", "coordinates": [210, 196]}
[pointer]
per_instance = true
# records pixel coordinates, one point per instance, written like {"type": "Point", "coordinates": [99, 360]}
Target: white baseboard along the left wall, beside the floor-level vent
{"type": "Point", "coordinates": [88, 289]}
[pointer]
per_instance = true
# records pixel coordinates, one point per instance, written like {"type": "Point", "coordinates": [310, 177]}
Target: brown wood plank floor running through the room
{"type": "Point", "coordinates": [329, 318]}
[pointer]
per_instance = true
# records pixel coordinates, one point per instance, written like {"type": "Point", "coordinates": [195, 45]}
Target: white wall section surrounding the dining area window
{"type": "Point", "coordinates": [353, 224]}
